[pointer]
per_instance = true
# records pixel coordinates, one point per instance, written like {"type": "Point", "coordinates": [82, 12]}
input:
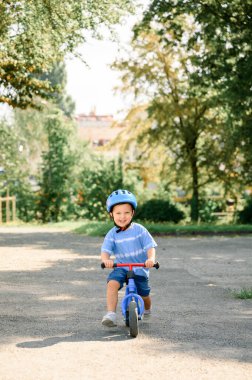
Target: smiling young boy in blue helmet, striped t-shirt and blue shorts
{"type": "Point", "coordinates": [128, 242]}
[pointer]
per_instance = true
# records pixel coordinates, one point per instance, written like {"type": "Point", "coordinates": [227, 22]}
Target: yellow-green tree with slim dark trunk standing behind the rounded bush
{"type": "Point", "coordinates": [184, 119]}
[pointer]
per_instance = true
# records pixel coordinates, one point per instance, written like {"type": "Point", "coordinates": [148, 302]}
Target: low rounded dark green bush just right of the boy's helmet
{"type": "Point", "coordinates": [159, 210]}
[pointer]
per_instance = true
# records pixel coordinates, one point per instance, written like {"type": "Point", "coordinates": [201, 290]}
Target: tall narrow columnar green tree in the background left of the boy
{"type": "Point", "coordinates": [57, 183]}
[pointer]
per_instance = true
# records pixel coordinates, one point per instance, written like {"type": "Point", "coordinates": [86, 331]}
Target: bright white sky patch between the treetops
{"type": "Point", "coordinates": [92, 87]}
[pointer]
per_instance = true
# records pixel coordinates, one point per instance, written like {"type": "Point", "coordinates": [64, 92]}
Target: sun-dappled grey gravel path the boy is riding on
{"type": "Point", "coordinates": [52, 298]}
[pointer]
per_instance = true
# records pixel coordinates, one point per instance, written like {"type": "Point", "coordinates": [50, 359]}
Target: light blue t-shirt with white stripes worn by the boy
{"type": "Point", "coordinates": [129, 246]}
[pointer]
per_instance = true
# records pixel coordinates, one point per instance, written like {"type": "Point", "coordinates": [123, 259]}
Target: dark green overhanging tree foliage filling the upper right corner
{"type": "Point", "coordinates": [221, 56]}
